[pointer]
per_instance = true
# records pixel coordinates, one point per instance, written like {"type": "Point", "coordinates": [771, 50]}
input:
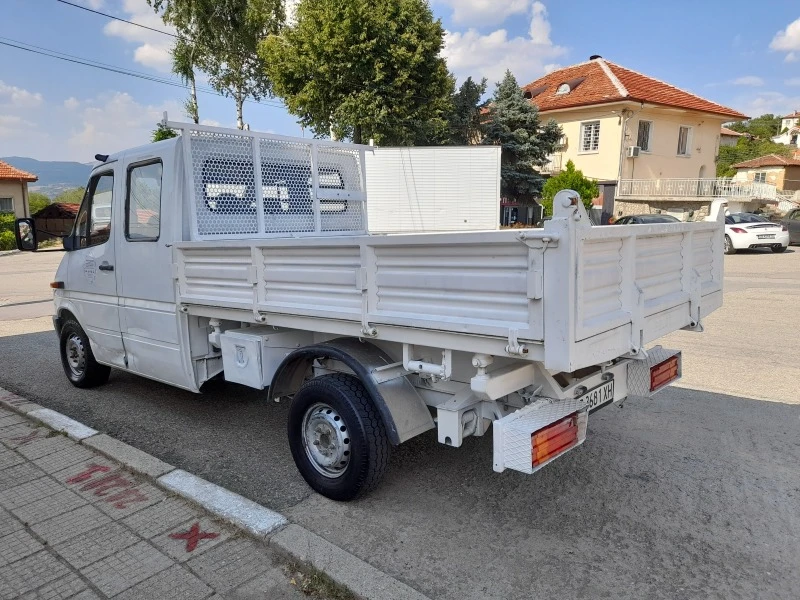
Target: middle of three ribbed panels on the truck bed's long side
{"type": "Point", "coordinates": [320, 278]}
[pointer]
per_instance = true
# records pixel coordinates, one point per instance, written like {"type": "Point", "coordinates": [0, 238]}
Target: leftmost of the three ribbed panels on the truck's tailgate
{"type": "Point", "coordinates": [600, 283]}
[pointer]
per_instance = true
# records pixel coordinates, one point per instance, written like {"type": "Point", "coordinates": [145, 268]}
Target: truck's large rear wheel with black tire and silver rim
{"type": "Point", "coordinates": [336, 412]}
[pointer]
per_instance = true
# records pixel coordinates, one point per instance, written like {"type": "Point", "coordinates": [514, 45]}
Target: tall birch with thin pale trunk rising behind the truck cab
{"type": "Point", "coordinates": [222, 37]}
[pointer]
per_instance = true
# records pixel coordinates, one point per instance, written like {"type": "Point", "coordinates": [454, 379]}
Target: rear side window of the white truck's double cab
{"type": "Point", "coordinates": [143, 204]}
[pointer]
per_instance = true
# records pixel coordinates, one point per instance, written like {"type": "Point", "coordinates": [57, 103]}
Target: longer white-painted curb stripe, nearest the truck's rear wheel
{"type": "Point", "coordinates": [235, 508]}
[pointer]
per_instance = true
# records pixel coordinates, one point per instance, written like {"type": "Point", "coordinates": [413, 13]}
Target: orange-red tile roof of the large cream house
{"type": "Point", "coordinates": [599, 81]}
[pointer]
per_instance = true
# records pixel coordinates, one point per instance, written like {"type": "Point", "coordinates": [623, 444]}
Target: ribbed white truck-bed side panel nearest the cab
{"type": "Point", "coordinates": [220, 274]}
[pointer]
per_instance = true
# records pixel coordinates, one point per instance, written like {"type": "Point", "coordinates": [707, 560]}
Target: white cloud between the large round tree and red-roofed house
{"type": "Point", "coordinates": [471, 53]}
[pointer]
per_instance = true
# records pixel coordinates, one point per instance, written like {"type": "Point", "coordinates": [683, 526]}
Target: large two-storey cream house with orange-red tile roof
{"type": "Point", "coordinates": [631, 131]}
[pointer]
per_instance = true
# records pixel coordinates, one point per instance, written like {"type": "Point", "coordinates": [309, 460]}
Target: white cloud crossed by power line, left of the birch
{"type": "Point", "coordinates": [152, 47]}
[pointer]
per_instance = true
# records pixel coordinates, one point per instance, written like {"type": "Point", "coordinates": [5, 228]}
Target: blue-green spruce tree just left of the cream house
{"type": "Point", "coordinates": [513, 123]}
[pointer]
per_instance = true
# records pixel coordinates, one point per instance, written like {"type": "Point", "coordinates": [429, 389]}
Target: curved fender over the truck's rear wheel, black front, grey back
{"type": "Point", "coordinates": [402, 410]}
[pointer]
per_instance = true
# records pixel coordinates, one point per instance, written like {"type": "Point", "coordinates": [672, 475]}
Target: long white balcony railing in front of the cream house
{"type": "Point", "coordinates": [694, 188]}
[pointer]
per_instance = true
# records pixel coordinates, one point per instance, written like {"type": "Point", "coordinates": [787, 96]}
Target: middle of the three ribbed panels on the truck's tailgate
{"type": "Point", "coordinates": [659, 269]}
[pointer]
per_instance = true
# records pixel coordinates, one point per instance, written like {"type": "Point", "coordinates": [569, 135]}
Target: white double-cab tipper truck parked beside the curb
{"type": "Point", "coordinates": [247, 256]}
